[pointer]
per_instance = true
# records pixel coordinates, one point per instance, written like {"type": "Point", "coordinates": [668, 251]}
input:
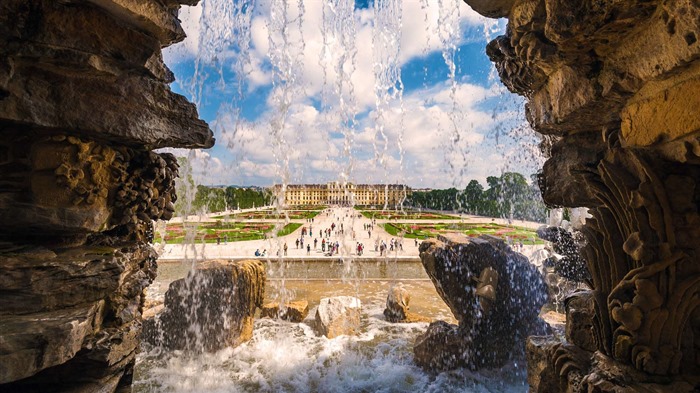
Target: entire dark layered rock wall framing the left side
{"type": "Point", "coordinates": [84, 99]}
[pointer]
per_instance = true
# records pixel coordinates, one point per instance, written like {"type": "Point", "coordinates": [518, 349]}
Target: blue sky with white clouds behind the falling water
{"type": "Point", "coordinates": [334, 90]}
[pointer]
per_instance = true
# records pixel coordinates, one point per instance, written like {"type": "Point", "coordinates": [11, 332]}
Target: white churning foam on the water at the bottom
{"type": "Point", "coordinates": [289, 357]}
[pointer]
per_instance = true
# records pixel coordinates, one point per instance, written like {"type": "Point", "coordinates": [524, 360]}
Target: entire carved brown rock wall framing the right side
{"type": "Point", "coordinates": [614, 88]}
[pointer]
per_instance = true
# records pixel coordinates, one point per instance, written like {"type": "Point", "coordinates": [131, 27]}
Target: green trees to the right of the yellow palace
{"type": "Point", "coordinates": [507, 196]}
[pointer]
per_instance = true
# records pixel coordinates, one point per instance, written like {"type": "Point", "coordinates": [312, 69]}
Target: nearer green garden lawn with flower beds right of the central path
{"type": "Point", "coordinates": [424, 231]}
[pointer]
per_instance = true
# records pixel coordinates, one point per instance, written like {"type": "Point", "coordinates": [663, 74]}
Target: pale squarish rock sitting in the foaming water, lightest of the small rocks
{"type": "Point", "coordinates": [338, 316]}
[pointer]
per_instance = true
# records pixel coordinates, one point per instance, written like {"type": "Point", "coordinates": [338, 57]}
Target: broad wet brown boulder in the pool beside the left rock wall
{"type": "Point", "coordinates": [210, 309]}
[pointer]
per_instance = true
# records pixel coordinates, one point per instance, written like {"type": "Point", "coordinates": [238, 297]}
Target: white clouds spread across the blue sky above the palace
{"type": "Point", "coordinates": [434, 137]}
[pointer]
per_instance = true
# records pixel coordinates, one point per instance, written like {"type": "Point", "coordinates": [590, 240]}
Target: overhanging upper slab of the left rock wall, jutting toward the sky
{"type": "Point", "coordinates": [95, 70]}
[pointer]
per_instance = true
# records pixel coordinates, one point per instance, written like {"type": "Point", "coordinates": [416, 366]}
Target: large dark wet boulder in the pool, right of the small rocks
{"type": "Point", "coordinates": [494, 293]}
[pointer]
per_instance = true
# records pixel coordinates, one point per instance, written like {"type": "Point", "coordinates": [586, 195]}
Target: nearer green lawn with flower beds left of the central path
{"type": "Point", "coordinates": [224, 232]}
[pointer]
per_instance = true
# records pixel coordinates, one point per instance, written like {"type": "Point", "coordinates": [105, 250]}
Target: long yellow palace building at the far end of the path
{"type": "Point", "coordinates": [348, 194]}
